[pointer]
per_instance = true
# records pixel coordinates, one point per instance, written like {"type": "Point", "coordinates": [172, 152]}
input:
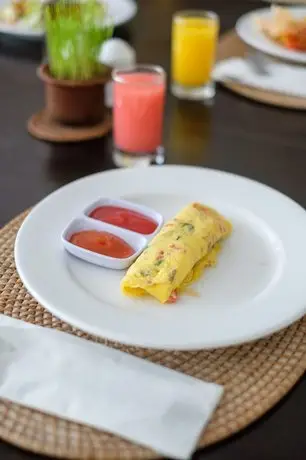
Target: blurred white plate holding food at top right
{"type": "Point", "coordinates": [248, 31]}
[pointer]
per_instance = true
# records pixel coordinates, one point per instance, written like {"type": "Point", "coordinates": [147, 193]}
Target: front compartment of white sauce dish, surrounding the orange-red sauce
{"type": "Point", "coordinates": [83, 223]}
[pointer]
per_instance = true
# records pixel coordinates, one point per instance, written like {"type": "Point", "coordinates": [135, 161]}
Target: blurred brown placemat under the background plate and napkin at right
{"type": "Point", "coordinates": [230, 45]}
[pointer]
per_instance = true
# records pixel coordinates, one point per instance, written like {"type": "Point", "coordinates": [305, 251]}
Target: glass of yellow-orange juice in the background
{"type": "Point", "coordinates": [194, 42]}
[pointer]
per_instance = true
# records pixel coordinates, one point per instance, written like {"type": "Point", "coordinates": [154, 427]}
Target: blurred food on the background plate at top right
{"type": "Point", "coordinates": [284, 28]}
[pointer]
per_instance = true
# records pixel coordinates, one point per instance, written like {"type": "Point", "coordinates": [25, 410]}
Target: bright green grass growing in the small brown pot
{"type": "Point", "coordinates": [75, 32]}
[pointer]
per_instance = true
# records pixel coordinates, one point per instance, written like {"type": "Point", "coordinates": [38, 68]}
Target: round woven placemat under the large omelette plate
{"type": "Point", "coordinates": [255, 377]}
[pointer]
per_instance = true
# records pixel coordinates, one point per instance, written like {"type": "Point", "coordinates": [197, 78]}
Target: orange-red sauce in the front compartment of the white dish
{"type": "Point", "coordinates": [102, 243]}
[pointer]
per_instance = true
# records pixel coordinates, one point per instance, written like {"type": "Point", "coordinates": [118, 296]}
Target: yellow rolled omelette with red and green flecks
{"type": "Point", "coordinates": [178, 254]}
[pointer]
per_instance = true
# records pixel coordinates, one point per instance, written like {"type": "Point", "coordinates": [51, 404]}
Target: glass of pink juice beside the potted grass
{"type": "Point", "coordinates": [138, 109]}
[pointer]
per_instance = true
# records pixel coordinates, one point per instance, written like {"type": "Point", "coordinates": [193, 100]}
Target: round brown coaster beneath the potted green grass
{"type": "Point", "coordinates": [43, 128]}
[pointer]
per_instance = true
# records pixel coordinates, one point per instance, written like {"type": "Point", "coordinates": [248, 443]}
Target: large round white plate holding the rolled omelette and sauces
{"type": "Point", "coordinates": [257, 288]}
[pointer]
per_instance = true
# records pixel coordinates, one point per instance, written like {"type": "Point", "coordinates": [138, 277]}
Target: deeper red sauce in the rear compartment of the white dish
{"type": "Point", "coordinates": [125, 218]}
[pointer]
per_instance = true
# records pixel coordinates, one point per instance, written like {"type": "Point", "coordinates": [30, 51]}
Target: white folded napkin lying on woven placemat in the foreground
{"type": "Point", "coordinates": [113, 391]}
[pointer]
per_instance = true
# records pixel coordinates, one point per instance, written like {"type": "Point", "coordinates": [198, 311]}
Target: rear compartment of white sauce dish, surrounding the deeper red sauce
{"type": "Point", "coordinates": [146, 212]}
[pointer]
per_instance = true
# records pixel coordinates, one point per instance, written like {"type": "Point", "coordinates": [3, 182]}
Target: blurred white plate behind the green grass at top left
{"type": "Point", "coordinates": [121, 11]}
